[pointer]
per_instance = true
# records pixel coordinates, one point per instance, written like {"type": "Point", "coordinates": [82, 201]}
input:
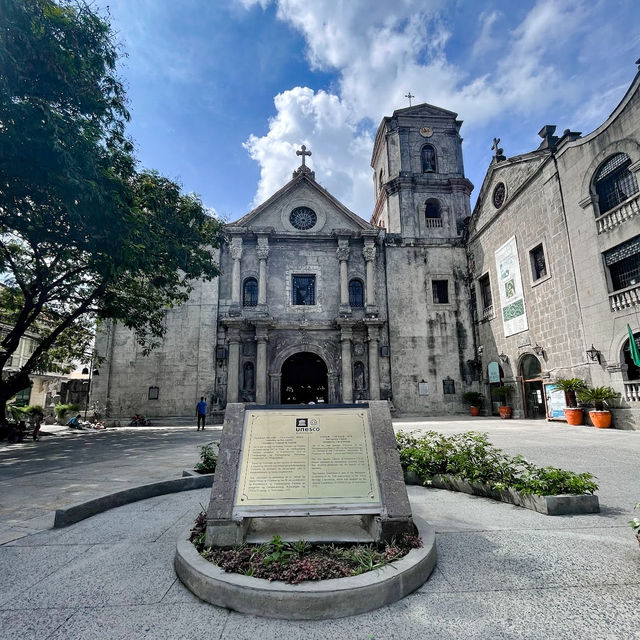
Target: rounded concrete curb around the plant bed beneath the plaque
{"type": "Point", "coordinates": [321, 600]}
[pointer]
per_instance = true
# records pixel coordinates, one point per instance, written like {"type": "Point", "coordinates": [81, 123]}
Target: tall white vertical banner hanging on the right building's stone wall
{"type": "Point", "coordinates": [514, 317]}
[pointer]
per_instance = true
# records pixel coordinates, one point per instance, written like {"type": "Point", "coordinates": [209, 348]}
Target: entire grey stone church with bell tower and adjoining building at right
{"type": "Point", "coordinates": [315, 304]}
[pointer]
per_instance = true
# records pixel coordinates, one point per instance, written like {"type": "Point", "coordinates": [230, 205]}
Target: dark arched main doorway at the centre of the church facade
{"type": "Point", "coordinates": [304, 379]}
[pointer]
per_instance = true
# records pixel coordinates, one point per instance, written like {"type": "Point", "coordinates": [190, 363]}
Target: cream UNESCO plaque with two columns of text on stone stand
{"type": "Point", "coordinates": [307, 457]}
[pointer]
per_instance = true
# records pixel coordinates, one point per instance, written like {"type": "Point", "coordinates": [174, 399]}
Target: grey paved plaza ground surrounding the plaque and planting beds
{"type": "Point", "coordinates": [502, 572]}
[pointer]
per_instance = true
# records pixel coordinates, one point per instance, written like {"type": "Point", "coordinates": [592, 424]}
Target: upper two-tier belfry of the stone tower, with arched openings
{"type": "Point", "coordinates": [421, 192]}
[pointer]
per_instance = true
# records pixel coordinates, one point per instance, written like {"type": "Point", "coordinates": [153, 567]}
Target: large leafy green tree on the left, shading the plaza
{"type": "Point", "coordinates": [83, 234]}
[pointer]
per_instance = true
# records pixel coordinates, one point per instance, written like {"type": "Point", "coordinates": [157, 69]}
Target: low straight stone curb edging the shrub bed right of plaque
{"type": "Point", "coordinates": [564, 504]}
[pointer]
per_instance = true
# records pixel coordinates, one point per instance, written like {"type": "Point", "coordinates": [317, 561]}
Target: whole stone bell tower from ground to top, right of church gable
{"type": "Point", "coordinates": [422, 200]}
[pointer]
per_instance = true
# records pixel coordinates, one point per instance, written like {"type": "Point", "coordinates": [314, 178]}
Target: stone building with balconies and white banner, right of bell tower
{"type": "Point", "coordinates": [554, 255]}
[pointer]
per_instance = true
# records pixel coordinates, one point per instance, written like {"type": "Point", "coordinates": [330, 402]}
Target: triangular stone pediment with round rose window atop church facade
{"type": "Point", "coordinates": [303, 192]}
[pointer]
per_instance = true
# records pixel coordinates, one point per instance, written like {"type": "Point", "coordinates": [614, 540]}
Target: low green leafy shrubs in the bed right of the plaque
{"type": "Point", "coordinates": [471, 456]}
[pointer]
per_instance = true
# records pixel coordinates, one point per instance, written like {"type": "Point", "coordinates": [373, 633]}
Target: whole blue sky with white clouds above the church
{"type": "Point", "coordinates": [222, 92]}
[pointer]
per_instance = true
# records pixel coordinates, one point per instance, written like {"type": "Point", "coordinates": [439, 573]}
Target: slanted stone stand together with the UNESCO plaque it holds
{"type": "Point", "coordinates": [310, 466]}
